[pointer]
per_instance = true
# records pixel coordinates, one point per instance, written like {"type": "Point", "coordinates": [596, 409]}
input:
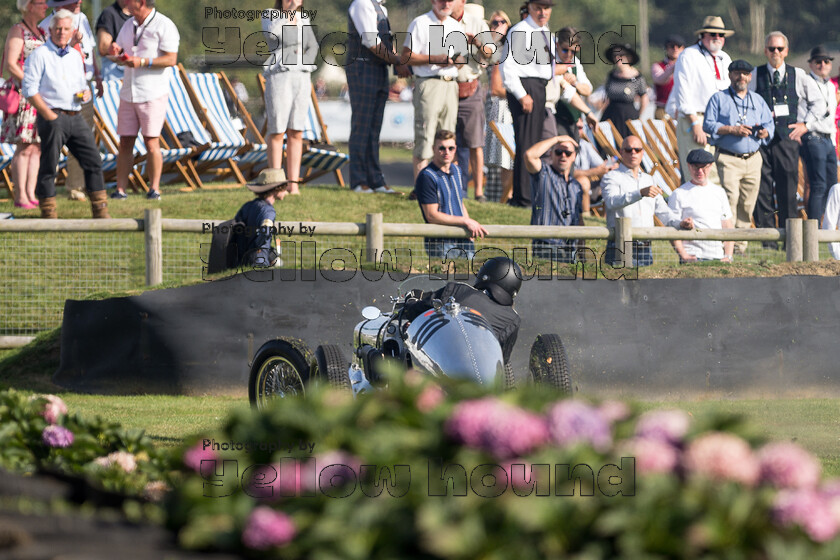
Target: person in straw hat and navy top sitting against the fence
{"type": "Point", "coordinates": [258, 216]}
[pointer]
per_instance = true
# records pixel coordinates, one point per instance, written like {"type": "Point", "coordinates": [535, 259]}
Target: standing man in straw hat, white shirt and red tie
{"type": "Point", "coordinates": [700, 71]}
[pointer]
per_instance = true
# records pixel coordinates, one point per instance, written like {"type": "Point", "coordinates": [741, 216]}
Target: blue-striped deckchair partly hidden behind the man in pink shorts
{"type": "Point", "coordinates": [106, 110]}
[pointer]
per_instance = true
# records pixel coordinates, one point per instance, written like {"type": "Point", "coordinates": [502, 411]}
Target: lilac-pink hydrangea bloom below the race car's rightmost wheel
{"type": "Point", "coordinates": [571, 422]}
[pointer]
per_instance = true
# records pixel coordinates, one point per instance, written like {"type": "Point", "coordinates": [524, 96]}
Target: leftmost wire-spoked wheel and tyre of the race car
{"type": "Point", "coordinates": [280, 370]}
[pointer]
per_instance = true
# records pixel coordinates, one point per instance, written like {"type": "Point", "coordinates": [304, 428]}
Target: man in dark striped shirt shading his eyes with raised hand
{"type": "Point", "coordinates": [557, 196]}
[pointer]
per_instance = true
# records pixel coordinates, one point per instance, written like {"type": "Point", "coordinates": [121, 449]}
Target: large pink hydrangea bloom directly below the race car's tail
{"type": "Point", "coordinates": [497, 427]}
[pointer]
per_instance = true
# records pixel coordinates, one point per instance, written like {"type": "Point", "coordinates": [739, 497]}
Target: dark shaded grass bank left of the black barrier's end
{"type": "Point", "coordinates": [30, 368]}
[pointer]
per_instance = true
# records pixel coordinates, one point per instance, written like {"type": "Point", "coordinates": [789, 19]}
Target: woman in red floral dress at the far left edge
{"type": "Point", "coordinates": [19, 128]}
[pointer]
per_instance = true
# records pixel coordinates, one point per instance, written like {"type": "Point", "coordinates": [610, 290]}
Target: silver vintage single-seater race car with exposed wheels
{"type": "Point", "coordinates": [447, 340]}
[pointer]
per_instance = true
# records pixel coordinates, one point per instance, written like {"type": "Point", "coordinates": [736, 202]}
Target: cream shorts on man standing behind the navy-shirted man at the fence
{"type": "Point", "coordinates": [435, 108]}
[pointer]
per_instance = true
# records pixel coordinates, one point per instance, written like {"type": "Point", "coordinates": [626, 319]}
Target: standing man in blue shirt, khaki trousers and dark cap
{"type": "Point", "coordinates": [739, 122]}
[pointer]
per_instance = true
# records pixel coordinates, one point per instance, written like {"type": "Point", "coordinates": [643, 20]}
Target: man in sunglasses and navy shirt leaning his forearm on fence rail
{"type": "Point", "coordinates": [439, 189]}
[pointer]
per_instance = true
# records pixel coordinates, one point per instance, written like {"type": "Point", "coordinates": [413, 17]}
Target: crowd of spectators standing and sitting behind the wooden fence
{"type": "Point", "coordinates": [754, 123]}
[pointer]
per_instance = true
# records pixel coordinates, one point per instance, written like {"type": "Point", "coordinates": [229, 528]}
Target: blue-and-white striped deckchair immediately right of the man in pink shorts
{"type": "Point", "coordinates": [215, 155]}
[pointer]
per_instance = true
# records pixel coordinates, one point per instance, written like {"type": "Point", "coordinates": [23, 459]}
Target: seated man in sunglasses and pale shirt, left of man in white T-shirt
{"type": "Point", "coordinates": [631, 193]}
